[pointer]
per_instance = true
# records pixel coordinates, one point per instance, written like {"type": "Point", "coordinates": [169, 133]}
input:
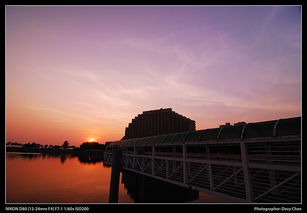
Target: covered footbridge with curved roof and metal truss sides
{"type": "Point", "coordinates": [253, 163]}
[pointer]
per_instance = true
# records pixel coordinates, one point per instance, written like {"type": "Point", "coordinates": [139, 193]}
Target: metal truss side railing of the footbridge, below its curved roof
{"type": "Point", "coordinates": [261, 170]}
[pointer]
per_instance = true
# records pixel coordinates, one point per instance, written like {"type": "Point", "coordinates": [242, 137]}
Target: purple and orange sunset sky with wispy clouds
{"type": "Point", "coordinates": [80, 72]}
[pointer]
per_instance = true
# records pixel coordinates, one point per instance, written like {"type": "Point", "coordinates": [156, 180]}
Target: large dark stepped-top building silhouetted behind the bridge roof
{"type": "Point", "coordinates": [158, 122]}
